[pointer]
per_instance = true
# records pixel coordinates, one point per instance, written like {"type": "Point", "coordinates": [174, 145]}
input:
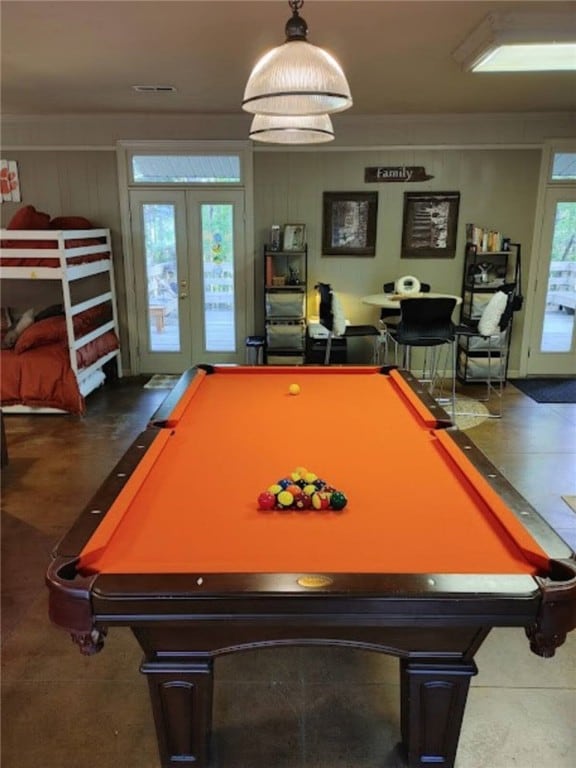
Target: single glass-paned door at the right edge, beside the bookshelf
{"type": "Point", "coordinates": [552, 348]}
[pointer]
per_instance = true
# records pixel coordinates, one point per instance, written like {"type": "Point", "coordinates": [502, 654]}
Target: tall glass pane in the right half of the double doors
{"type": "Point", "coordinates": [217, 221]}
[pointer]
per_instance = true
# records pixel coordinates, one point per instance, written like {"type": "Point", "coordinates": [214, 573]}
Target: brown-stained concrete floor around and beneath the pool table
{"type": "Point", "coordinates": [281, 708]}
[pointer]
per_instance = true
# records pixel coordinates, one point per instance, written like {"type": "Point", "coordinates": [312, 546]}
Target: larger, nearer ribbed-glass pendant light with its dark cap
{"type": "Point", "coordinates": [297, 78]}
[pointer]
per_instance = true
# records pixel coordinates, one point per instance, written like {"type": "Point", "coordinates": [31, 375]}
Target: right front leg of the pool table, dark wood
{"type": "Point", "coordinates": [432, 707]}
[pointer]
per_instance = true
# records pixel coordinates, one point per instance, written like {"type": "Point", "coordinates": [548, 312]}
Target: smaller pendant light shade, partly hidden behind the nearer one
{"type": "Point", "coordinates": [292, 129]}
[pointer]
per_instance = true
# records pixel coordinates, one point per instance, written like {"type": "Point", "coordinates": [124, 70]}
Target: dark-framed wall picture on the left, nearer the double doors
{"type": "Point", "coordinates": [349, 223]}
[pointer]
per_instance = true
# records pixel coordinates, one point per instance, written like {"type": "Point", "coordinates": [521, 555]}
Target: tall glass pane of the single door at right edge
{"type": "Point", "coordinates": [558, 324]}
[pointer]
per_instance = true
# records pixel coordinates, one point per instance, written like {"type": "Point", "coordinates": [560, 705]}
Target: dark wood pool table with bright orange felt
{"type": "Point", "coordinates": [432, 550]}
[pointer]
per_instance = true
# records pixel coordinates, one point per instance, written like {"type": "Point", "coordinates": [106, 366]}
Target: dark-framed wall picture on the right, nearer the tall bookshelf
{"type": "Point", "coordinates": [429, 225]}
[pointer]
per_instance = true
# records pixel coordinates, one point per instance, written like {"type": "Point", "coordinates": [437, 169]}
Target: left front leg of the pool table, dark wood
{"type": "Point", "coordinates": [181, 695]}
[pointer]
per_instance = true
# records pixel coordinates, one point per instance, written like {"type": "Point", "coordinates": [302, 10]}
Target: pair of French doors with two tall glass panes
{"type": "Point", "coordinates": [189, 261]}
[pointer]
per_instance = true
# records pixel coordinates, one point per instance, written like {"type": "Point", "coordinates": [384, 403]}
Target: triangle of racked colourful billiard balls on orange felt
{"type": "Point", "coordinates": [301, 491]}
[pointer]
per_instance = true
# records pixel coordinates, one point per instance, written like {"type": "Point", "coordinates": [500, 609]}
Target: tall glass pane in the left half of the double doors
{"type": "Point", "coordinates": [161, 276]}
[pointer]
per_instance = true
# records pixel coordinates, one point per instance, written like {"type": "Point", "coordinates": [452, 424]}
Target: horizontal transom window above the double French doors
{"type": "Point", "coordinates": [186, 169]}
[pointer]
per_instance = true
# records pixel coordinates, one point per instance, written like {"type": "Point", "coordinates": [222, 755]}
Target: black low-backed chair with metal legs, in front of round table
{"type": "Point", "coordinates": [428, 323]}
